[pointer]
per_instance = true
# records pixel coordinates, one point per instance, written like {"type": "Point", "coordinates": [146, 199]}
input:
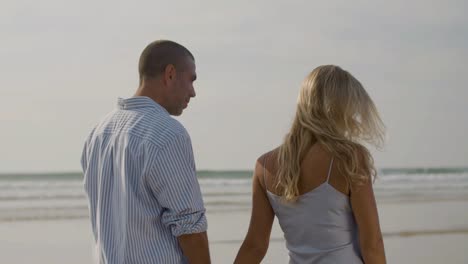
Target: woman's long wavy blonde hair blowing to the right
{"type": "Point", "coordinates": [333, 109]}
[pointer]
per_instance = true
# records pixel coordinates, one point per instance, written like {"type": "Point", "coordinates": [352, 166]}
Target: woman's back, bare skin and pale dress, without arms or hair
{"type": "Point", "coordinates": [319, 227]}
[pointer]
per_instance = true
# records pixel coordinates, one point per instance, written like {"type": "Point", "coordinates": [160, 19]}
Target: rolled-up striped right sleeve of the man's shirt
{"type": "Point", "coordinates": [174, 183]}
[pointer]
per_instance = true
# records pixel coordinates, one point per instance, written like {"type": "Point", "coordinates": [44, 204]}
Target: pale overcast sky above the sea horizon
{"type": "Point", "coordinates": [63, 65]}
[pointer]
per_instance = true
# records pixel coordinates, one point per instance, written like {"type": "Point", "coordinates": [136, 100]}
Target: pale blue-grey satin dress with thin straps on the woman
{"type": "Point", "coordinates": [319, 227]}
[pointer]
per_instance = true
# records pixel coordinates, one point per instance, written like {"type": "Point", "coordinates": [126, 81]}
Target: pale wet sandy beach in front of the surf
{"type": "Point", "coordinates": [414, 232]}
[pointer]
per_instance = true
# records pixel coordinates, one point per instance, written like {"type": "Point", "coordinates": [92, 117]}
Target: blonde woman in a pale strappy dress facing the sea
{"type": "Point", "coordinates": [319, 181]}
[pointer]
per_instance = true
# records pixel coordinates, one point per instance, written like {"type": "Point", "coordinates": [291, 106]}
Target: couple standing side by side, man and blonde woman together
{"type": "Point", "coordinates": [144, 198]}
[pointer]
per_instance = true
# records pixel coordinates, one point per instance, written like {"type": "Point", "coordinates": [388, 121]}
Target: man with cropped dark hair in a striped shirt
{"type": "Point", "coordinates": [145, 202]}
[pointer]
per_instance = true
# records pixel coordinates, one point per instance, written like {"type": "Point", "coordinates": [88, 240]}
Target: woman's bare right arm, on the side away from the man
{"type": "Point", "coordinates": [366, 215]}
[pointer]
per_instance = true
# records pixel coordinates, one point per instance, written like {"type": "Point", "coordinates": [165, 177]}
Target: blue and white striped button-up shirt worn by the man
{"type": "Point", "coordinates": [140, 180]}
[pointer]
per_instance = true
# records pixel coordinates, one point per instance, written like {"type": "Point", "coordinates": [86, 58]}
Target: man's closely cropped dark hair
{"type": "Point", "coordinates": [160, 53]}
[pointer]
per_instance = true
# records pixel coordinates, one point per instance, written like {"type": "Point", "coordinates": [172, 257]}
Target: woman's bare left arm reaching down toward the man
{"type": "Point", "coordinates": [257, 239]}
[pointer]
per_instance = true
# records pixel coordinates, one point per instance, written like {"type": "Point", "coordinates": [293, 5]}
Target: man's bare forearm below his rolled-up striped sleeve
{"type": "Point", "coordinates": [195, 247]}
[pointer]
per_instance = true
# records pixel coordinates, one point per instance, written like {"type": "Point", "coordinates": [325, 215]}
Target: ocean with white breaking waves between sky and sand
{"type": "Point", "coordinates": [61, 195]}
